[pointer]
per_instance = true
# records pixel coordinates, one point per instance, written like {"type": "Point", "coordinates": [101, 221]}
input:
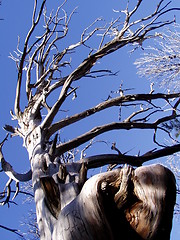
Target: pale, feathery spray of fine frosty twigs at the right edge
{"type": "Point", "coordinates": [162, 60]}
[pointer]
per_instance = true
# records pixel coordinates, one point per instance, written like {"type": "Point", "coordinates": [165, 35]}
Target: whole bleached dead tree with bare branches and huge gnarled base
{"type": "Point", "coordinates": [122, 203]}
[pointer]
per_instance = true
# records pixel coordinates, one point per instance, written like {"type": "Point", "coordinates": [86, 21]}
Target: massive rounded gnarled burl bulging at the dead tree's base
{"type": "Point", "coordinates": [121, 204]}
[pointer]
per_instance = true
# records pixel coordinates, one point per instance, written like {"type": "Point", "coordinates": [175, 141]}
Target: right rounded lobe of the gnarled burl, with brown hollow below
{"type": "Point", "coordinates": [151, 215]}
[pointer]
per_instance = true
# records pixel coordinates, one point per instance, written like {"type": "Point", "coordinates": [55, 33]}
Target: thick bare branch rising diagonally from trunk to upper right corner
{"type": "Point", "coordinates": [118, 42]}
